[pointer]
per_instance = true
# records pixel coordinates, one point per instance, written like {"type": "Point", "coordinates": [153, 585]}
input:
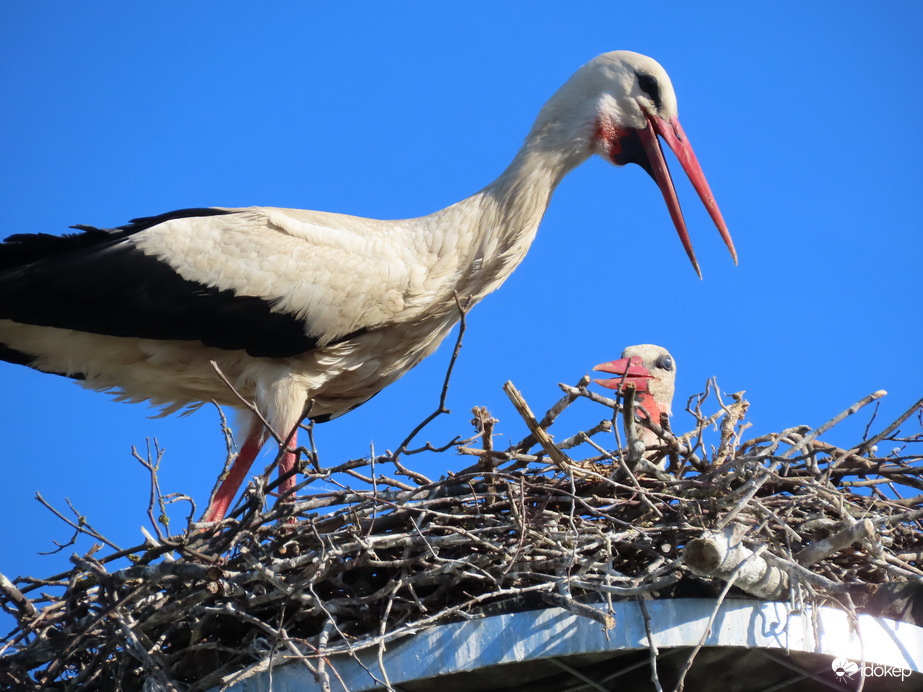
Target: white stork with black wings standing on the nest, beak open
{"type": "Point", "coordinates": [300, 306]}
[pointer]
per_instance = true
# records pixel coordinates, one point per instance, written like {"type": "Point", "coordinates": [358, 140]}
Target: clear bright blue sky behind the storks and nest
{"type": "Point", "coordinates": [804, 117]}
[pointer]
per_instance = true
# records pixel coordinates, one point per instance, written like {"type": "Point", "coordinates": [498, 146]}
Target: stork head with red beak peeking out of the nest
{"type": "Point", "coordinates": [651, 370]}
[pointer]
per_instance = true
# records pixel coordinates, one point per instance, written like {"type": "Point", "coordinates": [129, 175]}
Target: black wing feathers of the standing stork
{"type": "Point", "coordinates": [98, 281]}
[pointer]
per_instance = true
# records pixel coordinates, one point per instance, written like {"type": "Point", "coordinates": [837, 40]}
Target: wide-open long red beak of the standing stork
{"type": "Point", "coordinates": [673, 135]}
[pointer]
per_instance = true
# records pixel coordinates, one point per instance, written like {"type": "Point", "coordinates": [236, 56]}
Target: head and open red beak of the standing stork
{"type": "Point", "coordinates": [616, 106]}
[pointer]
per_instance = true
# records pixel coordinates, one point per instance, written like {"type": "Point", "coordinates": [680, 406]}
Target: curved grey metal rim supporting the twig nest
{"type": "Point", "coordinates": [555, 639]}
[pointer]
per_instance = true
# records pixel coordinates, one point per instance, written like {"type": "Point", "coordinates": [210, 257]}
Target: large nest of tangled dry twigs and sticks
{"type": "Point", "coordinates": [574, 523]}
